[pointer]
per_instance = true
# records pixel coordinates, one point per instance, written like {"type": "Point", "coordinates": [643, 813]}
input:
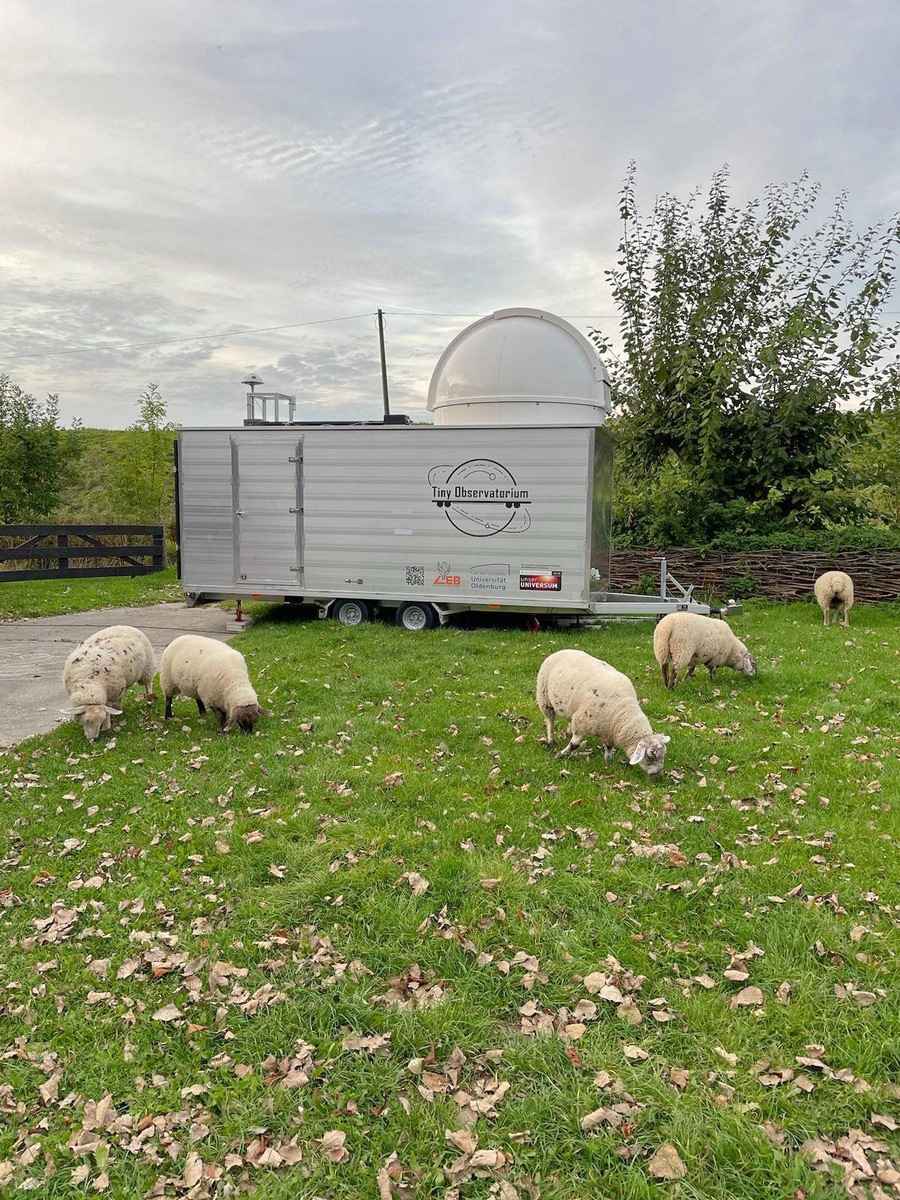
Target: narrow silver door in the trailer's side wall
{"type": "Point", "coordinates": [267, 490]}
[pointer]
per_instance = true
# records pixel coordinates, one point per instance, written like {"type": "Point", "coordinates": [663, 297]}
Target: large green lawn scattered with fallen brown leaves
{"type": "Point", "coordinates": [394, 753]}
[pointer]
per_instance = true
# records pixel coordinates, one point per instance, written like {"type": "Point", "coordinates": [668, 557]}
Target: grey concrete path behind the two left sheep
{"type": "Point", "coordinates": [33, 655]}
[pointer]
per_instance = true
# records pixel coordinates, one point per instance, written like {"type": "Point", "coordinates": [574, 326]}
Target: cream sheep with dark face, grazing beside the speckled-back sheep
{"type": "Point", "coordinates": [215, 676]}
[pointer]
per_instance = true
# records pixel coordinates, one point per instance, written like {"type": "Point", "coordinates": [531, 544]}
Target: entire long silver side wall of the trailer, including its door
{"type": "Point", "coordinates": [499, 517]}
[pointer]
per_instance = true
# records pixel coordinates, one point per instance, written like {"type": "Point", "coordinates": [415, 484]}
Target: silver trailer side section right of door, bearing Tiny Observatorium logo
{"type": "Point", "coordinates": [413, 513]}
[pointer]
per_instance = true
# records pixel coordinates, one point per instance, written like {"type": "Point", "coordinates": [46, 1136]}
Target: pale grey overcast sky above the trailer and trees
{"type": "Point", "coordinates": [193, 167]}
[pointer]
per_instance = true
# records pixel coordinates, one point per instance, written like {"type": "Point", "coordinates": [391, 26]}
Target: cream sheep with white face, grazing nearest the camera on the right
{"type": "Point", "coordinates": [601, 703]}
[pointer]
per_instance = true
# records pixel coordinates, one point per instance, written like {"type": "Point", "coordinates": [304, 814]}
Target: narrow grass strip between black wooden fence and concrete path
{"type": "Point", "coordinates": [52, 598]}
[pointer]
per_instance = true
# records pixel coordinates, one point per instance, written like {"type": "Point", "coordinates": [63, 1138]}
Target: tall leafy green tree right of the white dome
{"type": "Point", "coordinates": [743, 333]}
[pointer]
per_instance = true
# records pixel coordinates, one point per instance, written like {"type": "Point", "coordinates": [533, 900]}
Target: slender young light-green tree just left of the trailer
{"type": "Point", "coordinates": [143, 476]}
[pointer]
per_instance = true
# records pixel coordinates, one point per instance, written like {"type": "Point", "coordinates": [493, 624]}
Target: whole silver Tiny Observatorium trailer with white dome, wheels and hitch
{"type": "Point", "coordinates": [503, 505]}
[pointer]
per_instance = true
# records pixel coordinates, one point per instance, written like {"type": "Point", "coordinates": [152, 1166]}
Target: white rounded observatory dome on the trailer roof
{"type": "Point", "coordinates": [520, 367]}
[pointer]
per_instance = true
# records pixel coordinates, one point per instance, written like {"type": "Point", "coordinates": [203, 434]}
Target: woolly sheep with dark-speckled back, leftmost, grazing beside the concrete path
{"type": "Point", "coordinates": [99, 673]}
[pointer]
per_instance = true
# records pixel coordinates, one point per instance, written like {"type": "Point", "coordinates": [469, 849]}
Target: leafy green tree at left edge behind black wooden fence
{"type": "Point", "coordinates": [37, 457]}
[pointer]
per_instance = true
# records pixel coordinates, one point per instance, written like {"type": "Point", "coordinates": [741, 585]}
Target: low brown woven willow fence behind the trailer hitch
{"type": "Point", "coordinates": [770, 574]}
